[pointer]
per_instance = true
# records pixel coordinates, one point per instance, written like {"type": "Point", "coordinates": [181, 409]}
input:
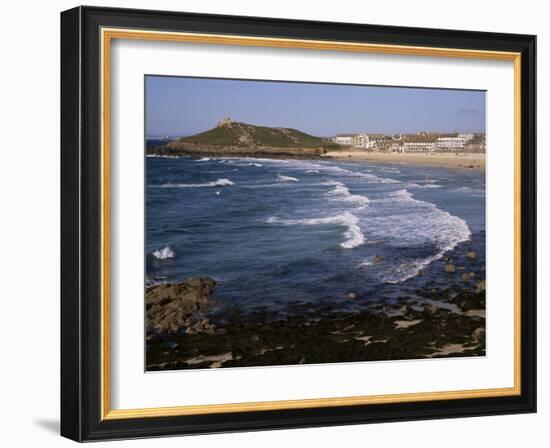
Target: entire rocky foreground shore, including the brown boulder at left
{"type": "Point", "coordinates": [181, 336]}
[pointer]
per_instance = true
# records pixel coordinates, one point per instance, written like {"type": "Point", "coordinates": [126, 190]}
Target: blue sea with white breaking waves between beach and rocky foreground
{"type": "Point", "coordinates": [324, 235]}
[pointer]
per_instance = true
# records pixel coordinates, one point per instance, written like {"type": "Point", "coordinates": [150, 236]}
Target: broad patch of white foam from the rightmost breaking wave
{"type": "Point", "coordinates": [408, 222]}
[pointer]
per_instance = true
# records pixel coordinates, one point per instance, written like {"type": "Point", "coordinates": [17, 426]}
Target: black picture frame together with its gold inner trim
{"type": "Point", "coordinates": [86, 387]}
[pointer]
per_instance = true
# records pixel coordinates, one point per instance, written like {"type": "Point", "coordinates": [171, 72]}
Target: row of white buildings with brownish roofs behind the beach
{"type": "Point", "coordinates": [408, 143]}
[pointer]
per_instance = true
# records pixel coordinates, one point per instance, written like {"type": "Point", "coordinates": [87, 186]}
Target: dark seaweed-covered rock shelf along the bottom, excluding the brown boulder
{"type": "Point", "coordinates": [321, 335]}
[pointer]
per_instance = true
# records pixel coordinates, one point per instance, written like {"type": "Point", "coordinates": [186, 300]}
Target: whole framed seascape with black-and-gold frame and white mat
{"type": "Point", "coordinates": [273, 223]}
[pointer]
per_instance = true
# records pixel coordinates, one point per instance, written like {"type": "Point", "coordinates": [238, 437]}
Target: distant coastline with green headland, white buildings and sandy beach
{"type": "Point", "coordinates": [235, 139]}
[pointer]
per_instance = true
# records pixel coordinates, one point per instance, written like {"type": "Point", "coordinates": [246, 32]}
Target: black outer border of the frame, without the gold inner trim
{"type": "Point", "coordinates": [81, 223]}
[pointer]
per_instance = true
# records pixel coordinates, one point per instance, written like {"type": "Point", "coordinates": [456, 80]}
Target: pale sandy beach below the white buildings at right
{"type": "Point", "coordinates": [443, 160]}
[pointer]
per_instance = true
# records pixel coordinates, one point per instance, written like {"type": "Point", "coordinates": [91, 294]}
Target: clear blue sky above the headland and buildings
{"type": "Point", "coordinates": [178, 106]}
